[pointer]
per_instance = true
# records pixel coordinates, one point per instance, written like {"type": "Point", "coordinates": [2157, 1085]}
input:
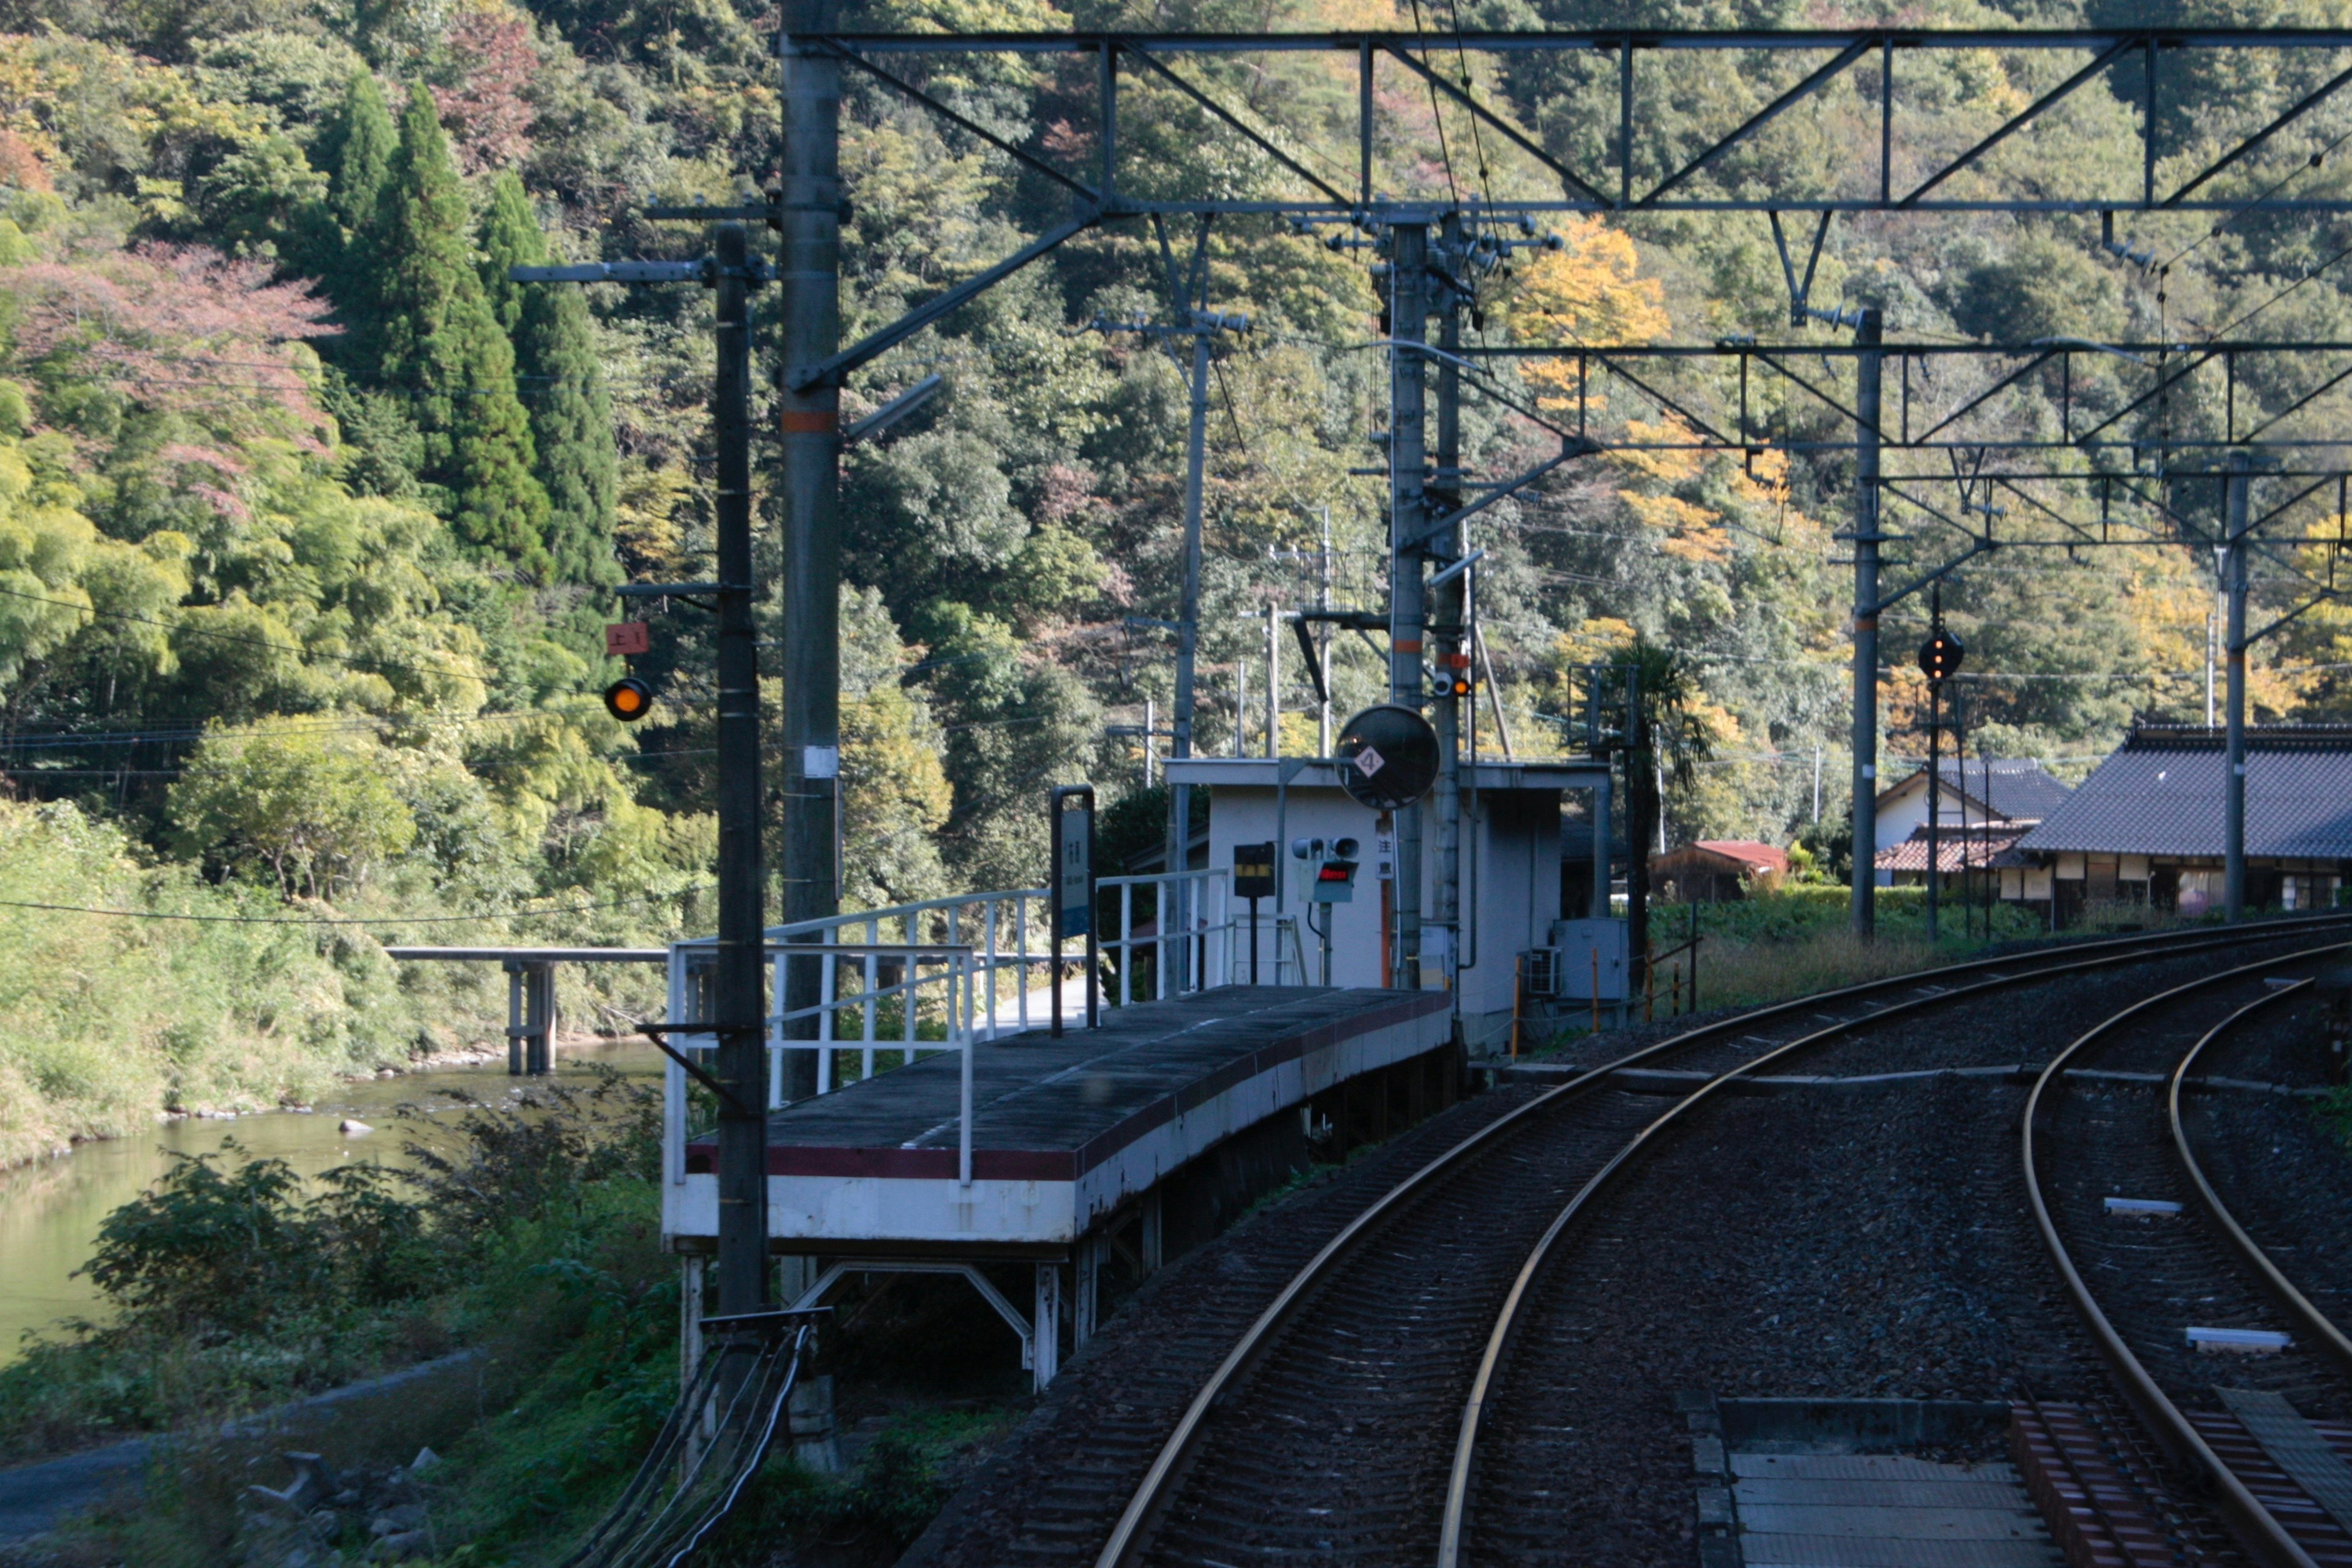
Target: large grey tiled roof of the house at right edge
{"type": "Point", "coordinates": [2163, 796]}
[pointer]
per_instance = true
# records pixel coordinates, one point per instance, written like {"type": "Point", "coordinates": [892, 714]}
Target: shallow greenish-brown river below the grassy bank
{"type": "Point", "coordinates": [51, 1212]}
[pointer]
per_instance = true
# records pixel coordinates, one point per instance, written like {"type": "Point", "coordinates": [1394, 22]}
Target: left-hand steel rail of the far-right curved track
{"type": "Point", "coordinates": [2250, 1520]}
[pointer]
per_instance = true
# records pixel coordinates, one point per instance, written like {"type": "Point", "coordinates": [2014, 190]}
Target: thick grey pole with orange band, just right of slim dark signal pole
{"type": "Point", "coordinates": [810, 330]}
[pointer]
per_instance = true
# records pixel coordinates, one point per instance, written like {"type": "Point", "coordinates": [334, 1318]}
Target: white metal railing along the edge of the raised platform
{"type": "Point", "coordinates": [944, 974]}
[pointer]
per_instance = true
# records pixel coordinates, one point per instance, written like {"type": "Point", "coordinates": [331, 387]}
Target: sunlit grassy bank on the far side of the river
{"type": "Point", "coordinates": [135, 991]}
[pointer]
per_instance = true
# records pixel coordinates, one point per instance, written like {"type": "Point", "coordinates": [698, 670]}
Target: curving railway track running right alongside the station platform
{"type": "Point", "coordinates": [1347, 1421]}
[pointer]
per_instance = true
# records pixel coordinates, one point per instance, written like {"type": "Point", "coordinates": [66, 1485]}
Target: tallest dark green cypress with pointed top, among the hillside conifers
{"type": "Point", "coordinates": [443, 347]}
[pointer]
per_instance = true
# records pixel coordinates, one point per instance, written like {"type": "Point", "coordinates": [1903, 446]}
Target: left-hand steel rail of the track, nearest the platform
{"type": "Point", "coordinates": [1158, 1482]}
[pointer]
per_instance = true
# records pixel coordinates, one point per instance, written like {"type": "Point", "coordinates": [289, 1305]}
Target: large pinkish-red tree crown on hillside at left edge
{"type": "Point", "coordinates": [178, 328]}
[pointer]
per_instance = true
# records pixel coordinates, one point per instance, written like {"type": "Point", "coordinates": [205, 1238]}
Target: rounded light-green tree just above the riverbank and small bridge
{"type": "Point", "coordinates": [316, 805]}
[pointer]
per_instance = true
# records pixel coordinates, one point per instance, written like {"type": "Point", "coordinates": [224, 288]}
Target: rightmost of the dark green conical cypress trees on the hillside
{"type": "Point", "coordinates": [566, 389]}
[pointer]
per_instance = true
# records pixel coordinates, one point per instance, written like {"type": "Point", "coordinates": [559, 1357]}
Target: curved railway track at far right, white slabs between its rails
{"type": "Point", "coordinates": [2238, 1376]}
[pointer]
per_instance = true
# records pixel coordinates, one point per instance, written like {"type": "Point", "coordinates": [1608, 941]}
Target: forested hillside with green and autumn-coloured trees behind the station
{"type": "Point", "coordinates": [309, 518]}
